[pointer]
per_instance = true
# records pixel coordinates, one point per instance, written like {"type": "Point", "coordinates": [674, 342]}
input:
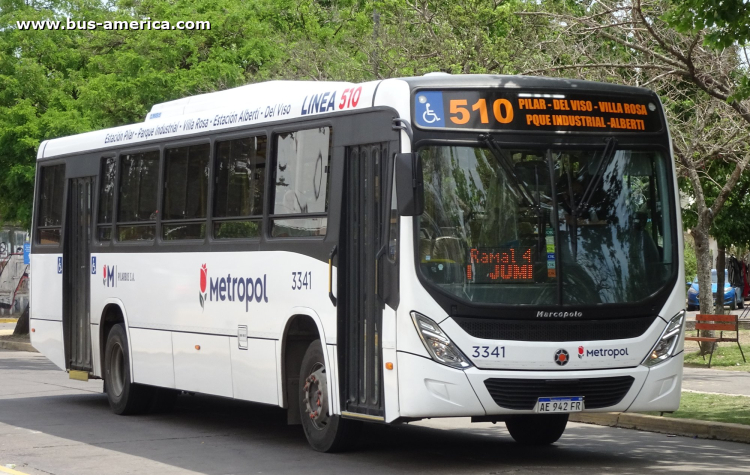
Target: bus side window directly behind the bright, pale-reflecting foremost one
{"type": "Point", "coordinates": [240, 172]}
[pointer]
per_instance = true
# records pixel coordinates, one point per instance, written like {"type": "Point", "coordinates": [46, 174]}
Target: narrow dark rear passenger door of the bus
{"type": "Point", "coordinates": [77, 275]}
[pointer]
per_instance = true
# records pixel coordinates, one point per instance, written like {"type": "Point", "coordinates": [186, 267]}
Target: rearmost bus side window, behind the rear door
{"type": "Point", "coordinates": [51, 188]}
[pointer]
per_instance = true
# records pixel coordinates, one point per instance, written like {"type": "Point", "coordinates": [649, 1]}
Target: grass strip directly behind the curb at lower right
{"type": "Point", "coordinates": [712, 407]}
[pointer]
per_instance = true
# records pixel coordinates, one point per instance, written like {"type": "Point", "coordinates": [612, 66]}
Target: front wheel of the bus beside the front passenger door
{"type": "Point", "coordinates": [324, 432]}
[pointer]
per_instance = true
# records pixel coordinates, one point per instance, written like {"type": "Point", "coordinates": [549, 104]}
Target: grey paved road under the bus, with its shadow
{"type": "Point", "coordinates": [52, 425]}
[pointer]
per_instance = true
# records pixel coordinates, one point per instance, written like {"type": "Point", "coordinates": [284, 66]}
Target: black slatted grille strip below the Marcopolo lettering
{"type": "Point", "coordinates": [532, 330]}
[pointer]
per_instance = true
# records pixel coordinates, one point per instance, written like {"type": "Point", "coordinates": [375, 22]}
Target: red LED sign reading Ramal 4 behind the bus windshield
{"type": "Point", "coordinates": [505, 265]}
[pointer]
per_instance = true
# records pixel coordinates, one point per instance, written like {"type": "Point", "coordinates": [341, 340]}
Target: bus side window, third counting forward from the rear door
{"type": "Point", "coordinates": [185, 192]}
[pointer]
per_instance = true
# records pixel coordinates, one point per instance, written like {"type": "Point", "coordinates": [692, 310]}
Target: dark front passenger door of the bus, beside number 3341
{"type": "Point", "coordinates": [362, 249]}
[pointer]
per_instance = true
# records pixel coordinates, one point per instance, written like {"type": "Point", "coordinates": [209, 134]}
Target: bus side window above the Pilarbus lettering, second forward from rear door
{"type": "Point", "coordinates": [139, 185]}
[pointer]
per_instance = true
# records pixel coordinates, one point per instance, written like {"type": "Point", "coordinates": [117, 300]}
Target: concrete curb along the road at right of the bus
{"type": "Point", "coordinates": [667, 425]}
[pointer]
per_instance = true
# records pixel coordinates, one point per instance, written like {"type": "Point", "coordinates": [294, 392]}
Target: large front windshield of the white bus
{"type": "Point", "coordinates": [542, 226]}
